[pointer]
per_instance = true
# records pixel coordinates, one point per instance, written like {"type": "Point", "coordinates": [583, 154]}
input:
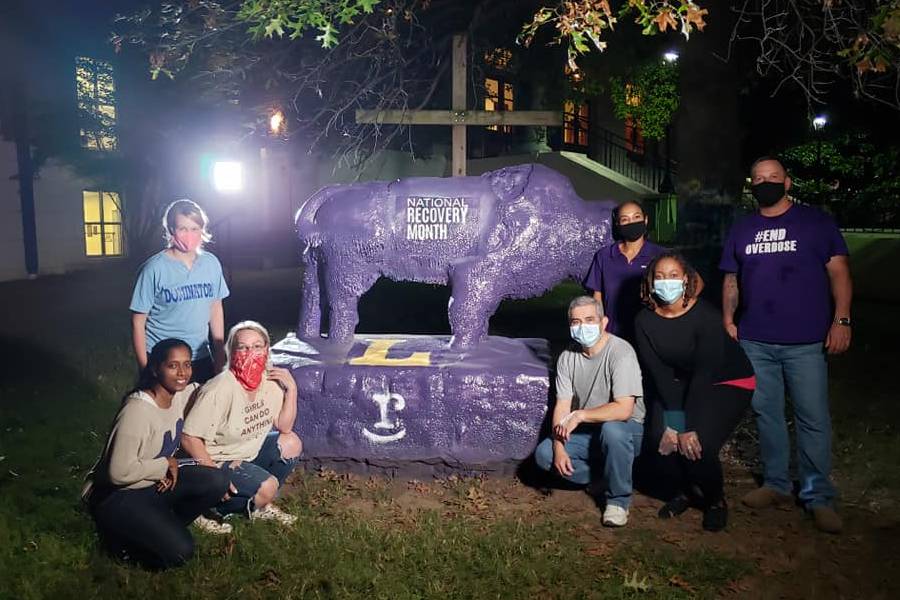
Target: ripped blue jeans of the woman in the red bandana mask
{"type": "Point", "coordinates": [249, 475]}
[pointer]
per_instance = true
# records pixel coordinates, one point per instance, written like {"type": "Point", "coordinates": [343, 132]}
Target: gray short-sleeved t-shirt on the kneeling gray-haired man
{"type": "Point", "coordinates": [594, 381]}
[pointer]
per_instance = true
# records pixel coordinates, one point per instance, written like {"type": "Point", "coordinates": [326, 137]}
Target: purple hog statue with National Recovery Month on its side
{"type": "Point", "coordinates": [510, 233]}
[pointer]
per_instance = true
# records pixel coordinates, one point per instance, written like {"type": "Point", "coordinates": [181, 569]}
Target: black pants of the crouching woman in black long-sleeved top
{"type": "Point", "coordinates": [714, 417]}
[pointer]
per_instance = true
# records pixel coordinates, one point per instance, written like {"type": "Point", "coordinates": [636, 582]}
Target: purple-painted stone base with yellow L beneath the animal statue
{"type": "Point", "coordinates": [401, 403]}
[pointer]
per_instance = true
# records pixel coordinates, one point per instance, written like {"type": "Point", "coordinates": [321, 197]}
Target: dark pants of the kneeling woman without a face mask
{"type": "Point", "coordinates": [151, 526]}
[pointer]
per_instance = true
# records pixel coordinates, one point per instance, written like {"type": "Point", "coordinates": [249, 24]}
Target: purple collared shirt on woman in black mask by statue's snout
{"type": "Point", "coordinates": [620, 283]}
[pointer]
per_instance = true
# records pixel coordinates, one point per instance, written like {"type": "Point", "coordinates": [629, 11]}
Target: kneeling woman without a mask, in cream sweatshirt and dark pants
{"type": "Point", "coordinates": [139, 496]}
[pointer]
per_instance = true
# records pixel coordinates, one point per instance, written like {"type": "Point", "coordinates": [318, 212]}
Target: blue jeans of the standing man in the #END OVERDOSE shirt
{"type": "Point", "coordinates": [804, 369]}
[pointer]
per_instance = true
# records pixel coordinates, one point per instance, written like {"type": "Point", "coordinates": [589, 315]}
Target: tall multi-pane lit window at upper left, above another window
{"type": "Point", "coordinates": [96, 103]}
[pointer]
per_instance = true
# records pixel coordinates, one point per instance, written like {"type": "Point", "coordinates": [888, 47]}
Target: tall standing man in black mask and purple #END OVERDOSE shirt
{"type": "Point", "coordinates": [786, 297]}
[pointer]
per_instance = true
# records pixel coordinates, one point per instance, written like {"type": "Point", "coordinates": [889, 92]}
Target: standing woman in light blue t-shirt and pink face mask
{"type": "Point", "coordinates": [179, 293]}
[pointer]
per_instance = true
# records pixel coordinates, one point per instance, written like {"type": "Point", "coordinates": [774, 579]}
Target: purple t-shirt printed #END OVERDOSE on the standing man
{"type": "Point", "coordinates": [784, 285]}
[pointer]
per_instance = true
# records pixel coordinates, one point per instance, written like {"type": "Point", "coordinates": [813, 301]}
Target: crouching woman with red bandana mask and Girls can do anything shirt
{"type": "Point", "coordinates": [242, 423]}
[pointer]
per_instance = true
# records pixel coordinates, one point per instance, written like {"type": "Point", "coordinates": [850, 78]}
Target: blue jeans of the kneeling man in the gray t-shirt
{"type": "Point", "coordinates": [613, 444]}
